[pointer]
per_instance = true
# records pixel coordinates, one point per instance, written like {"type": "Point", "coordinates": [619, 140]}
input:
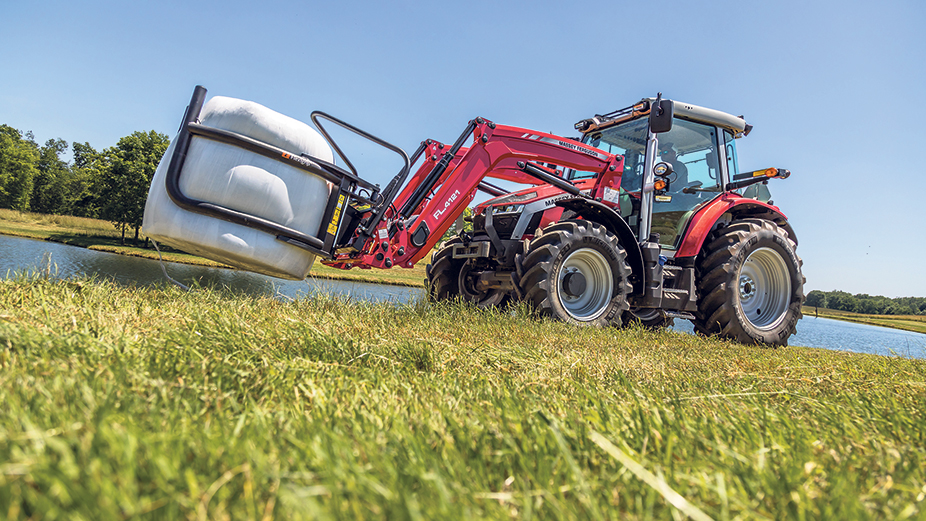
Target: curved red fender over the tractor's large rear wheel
{"type": "Point", "coordinates": [702, 222]}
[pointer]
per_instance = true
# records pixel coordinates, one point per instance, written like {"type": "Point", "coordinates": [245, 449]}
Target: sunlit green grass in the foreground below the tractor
{"type": "Point", "coordinates": [156, 403]}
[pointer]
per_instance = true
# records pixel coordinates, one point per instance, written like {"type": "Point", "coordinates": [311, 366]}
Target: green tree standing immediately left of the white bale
{"type": "Point", "coordinates": [127, 176]}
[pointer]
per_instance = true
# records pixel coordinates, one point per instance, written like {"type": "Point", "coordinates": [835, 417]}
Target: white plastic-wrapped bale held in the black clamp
{"type": "Point", "coordinates": [246, 182]}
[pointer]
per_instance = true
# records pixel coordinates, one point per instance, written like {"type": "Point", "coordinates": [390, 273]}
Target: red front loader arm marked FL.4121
{"type": "Point", "coordinates": [447, 181]}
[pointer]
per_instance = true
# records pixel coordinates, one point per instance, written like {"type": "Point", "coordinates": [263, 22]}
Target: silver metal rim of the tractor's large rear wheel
{"type": "Point", "coordinates": [764, 288]}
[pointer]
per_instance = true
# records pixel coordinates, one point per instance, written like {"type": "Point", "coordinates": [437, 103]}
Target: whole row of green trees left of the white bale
{"type": "Point", "coordinates": [111, 184]}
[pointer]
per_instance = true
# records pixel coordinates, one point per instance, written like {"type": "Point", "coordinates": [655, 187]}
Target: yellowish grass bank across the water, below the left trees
{"type": "Point", "coordinates": [103, 236]}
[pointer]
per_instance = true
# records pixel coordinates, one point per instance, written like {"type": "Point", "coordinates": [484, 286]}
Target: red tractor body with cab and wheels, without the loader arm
{"type": "Point", "coordinates": [671, 237]}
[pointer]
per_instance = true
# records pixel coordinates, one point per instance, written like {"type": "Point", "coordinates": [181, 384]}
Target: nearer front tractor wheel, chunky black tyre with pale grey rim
{"type": "Point", "coordinates": [576, 271]}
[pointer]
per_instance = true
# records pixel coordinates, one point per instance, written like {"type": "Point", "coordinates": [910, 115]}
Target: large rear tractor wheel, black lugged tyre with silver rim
{"type": "Point", "coordinates": [750, 286]}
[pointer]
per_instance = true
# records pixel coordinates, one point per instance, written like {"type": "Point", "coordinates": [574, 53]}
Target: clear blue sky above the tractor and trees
{"type": "Point", "coordinates": [835, 90]}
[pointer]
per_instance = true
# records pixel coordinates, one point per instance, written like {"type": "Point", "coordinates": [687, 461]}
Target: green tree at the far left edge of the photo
{"type": "Point", "coordinates": [17, 168]}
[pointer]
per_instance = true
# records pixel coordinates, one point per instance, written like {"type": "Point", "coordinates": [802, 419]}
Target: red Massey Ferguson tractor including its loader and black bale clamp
{"type": "Point", "coordinates": [645, 218]}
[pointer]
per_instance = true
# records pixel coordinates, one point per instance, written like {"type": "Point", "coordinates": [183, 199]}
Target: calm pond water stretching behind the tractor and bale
{"type": "Point", "coordinates": [17, 254]}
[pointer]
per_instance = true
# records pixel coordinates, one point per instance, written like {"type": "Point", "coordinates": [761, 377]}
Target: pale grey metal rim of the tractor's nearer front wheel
{"type": "Point", "coordinates": [592, 301]}
